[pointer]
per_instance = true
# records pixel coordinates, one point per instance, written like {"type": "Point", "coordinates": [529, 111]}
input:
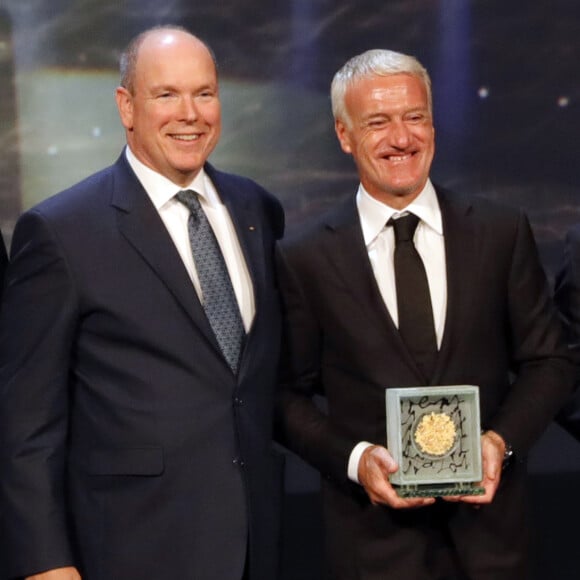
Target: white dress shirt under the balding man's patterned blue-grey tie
{"type": "Point", "coordinates": [175, 215]}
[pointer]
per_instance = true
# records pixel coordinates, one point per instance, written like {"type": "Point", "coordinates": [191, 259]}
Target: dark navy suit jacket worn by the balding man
{"type": "Point", "coordinates": [129, 449]}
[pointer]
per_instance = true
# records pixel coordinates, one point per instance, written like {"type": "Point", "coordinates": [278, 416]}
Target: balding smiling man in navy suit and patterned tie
{"type": "Point", "coordinates": [135, 427]}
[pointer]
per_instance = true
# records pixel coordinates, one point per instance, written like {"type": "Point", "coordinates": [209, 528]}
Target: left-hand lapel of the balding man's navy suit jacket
{"type": "Point", "coordinates": [140, 224]}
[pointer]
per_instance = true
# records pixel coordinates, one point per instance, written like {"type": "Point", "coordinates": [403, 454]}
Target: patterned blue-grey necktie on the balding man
{"type": "Point", "coordinates": [219, 299]}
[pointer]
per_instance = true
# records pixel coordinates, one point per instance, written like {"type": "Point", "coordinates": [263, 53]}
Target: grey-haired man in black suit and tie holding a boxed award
{"type": "Point", "coordinates": [491, 322]}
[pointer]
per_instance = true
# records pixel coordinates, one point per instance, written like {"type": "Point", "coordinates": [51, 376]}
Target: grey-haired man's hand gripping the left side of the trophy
{"type": "Point", "coordinates": [375, 465]}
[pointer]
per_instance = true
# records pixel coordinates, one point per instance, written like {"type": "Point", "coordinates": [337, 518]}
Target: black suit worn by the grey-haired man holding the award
{"type": "Point", "coordinates": [501, 333]}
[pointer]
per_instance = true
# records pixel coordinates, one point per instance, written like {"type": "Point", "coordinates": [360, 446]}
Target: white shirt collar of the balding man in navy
{"type": "Point", "coordinates": [162, 190]}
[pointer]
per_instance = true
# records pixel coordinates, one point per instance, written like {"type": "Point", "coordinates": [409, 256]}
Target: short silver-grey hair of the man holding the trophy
{"type": "Point", "coordinates": [376, 62]}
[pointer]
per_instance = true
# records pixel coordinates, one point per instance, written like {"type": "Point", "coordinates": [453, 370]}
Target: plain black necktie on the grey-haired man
{"type": "Point", "coordinates": [413, 299]}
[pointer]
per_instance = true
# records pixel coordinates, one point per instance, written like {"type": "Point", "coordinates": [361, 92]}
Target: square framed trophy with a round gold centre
{"type": "Point", "coordinates": [434, 434]}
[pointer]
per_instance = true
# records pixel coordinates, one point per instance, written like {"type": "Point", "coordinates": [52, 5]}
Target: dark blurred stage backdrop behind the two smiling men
{"type": "Point", "coordinates": [507, 97]}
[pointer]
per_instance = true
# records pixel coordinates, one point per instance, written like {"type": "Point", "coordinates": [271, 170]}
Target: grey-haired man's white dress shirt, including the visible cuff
{"type": "Point", "coordinates": [380, 242]}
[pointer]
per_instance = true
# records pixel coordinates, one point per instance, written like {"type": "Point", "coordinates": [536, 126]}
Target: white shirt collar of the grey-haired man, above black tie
{"type": "Point", "coordinates": [375, 214]}
